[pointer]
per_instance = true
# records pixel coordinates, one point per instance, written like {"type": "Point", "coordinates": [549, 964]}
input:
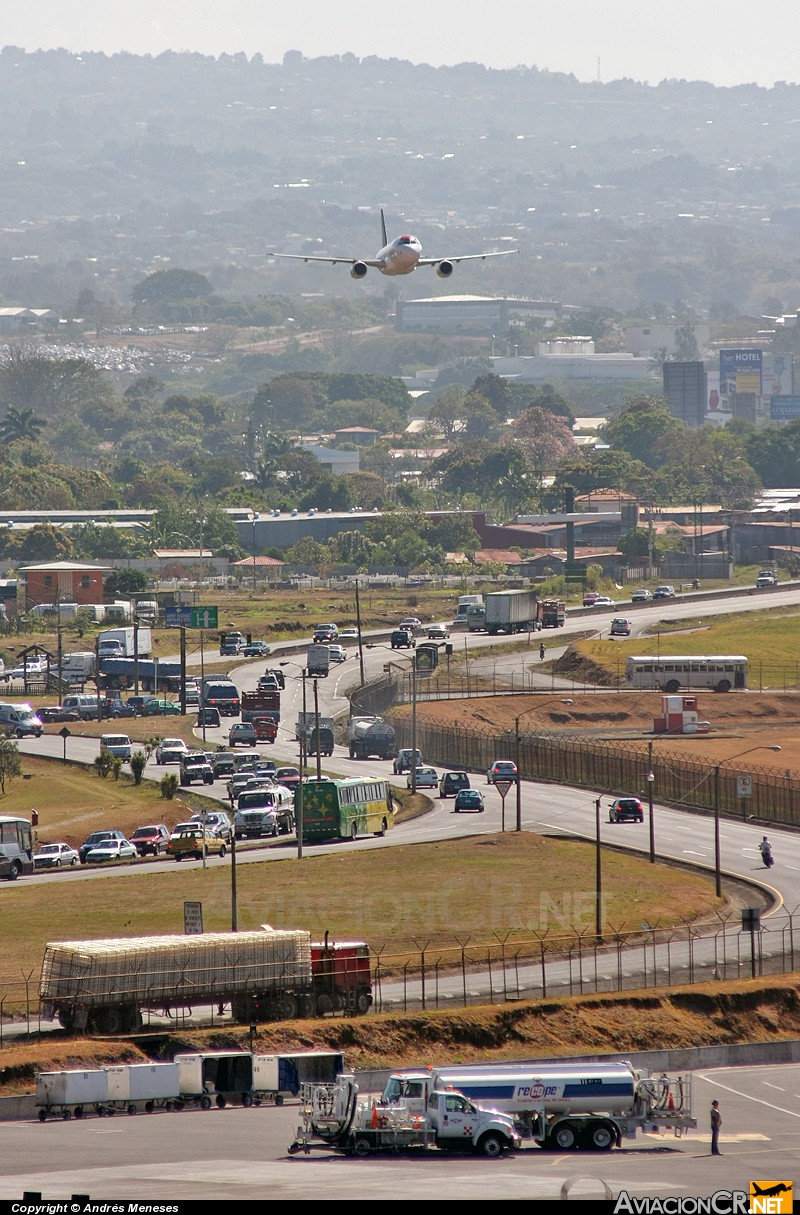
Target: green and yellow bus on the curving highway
{"type": "Point", "coordinates": [345, 810]}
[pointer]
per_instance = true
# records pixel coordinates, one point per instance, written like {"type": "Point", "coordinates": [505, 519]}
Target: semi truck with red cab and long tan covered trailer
{"type": "Point", "coordinates": [104, 986]}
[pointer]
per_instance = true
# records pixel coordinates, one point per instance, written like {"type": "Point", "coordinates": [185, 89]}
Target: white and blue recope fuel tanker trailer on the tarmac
{"type": "Point", "coordinates": [561, 1106]}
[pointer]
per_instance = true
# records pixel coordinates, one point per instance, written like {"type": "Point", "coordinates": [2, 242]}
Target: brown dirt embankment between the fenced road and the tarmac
{"type": "Point", "coordinates": [760, 1010]}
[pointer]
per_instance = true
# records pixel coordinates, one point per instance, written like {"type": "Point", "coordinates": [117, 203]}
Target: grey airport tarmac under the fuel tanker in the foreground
{"type": "Point", "coordinates": [241, 1155]}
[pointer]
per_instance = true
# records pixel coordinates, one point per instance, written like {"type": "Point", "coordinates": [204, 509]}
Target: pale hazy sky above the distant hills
{"type": "Point", "coordinates": [726, 42]}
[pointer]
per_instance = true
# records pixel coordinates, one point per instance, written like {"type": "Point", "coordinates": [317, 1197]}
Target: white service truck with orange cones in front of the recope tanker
{"type": "Point", "coordinates": [334, 1118]}
